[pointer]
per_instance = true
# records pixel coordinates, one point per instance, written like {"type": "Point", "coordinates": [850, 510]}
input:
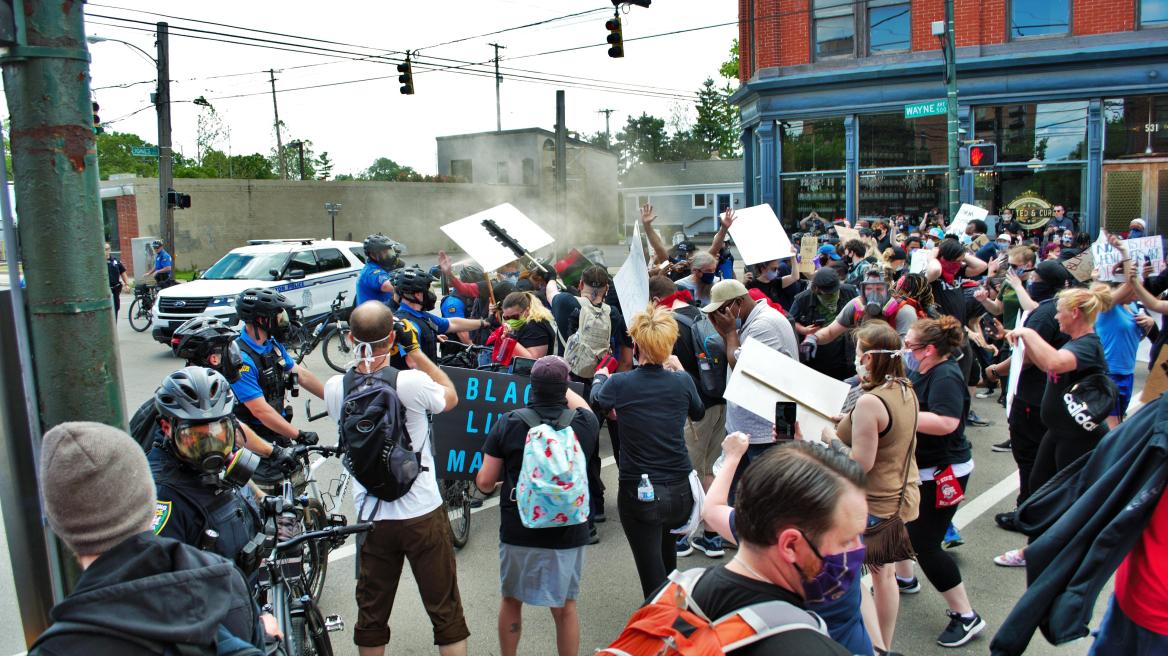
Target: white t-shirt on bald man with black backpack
{"type": "Point", "coordinates": [419, 394]}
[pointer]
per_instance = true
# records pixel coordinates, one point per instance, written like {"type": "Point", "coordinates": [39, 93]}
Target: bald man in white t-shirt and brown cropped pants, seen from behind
{"type": "Point", "coordinates": [414, 527]}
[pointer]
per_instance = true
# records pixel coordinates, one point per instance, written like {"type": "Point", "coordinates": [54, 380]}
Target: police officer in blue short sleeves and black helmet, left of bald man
{"type": "Point", "coordinates": [267, 373]}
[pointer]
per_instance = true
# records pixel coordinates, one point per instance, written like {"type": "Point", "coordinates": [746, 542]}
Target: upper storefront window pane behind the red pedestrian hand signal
{"type": "Point", "coordinates": [1035, 134]}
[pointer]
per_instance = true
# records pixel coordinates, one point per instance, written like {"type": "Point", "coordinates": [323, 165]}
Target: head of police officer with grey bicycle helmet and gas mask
{"type": "Point", "coordinates": [197, 403]}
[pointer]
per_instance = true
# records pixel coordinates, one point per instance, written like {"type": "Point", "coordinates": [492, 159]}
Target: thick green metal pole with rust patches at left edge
{"type": "Point", "coordinates": [55, 163]}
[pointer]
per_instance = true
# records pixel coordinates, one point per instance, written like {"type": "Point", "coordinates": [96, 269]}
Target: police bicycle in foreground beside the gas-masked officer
{"type": "Point", "coordinates": [283, 588]}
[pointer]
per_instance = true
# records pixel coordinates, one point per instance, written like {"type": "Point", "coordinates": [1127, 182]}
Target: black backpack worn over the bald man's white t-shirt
{"type": "Point", "coordinates": [378, 449]}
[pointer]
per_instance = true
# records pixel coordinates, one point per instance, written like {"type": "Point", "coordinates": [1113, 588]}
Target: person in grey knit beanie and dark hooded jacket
{"type": "Point", "coordinates": [99, 499]}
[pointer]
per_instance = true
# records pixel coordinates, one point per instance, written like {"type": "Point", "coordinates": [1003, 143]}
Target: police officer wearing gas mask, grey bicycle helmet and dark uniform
{"type": "Point", "coordinates": [197, 505]}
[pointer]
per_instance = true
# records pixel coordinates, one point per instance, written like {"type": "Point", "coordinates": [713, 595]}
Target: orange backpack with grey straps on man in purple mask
{"type": "Point", "coordinates": [672, 625]}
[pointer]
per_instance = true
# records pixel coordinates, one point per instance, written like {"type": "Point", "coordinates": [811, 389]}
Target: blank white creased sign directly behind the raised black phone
{"type": "Point", "coordinates": [764, 376]}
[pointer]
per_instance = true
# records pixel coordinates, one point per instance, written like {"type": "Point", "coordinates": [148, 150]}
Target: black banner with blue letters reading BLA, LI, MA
{"type": "Point", "coordinates": [483, 399]}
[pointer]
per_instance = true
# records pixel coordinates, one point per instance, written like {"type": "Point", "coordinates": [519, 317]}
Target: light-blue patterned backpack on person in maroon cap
{"type": "Point", "coordinates": [552, 490]}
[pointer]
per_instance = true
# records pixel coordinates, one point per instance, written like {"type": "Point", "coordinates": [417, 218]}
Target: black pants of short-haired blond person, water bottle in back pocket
{"type": "Point", "coordinates": [648, 526]}
